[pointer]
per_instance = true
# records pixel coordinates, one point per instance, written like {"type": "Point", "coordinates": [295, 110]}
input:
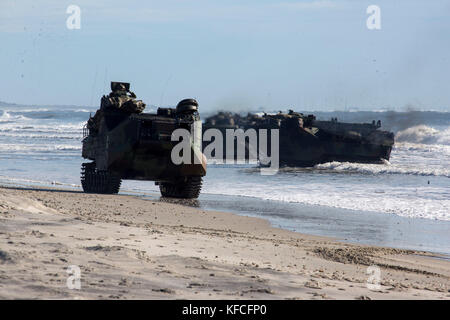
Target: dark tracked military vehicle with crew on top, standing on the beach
{"type": "Point", "coordinates": [124, 143]}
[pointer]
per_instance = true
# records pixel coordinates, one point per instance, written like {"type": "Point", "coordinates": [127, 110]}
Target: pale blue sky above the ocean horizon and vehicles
{"type": "Point", "coordinates": [237, 55]}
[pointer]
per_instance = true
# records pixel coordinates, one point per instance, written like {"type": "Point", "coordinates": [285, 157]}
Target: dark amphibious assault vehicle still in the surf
{"type": "Point", "coordinates": [305, 141]}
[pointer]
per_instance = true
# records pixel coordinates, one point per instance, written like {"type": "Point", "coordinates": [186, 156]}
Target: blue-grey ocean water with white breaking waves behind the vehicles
{"type": "Point", "coordinates": [42, 146]}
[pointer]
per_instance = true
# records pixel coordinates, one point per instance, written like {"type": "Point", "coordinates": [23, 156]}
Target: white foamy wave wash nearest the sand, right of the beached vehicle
{"type": "Point", "coordinates": [361, 198]}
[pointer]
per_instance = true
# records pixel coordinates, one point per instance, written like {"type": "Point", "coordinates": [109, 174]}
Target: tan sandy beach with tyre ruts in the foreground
{"type": "Point", "coordinates": [130, 248]}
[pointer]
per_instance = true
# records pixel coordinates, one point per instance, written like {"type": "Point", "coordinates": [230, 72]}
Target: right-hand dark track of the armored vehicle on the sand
{"type": "Point", "coordinates": [188, 189]}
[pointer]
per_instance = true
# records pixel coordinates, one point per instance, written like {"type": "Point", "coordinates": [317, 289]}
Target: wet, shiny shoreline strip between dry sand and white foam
{"type": "Point", "coordinates": [345, 225]}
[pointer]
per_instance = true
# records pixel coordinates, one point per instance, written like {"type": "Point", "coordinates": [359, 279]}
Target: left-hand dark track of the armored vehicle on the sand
{"type": "Point", "coordinates": [98, 181]}
